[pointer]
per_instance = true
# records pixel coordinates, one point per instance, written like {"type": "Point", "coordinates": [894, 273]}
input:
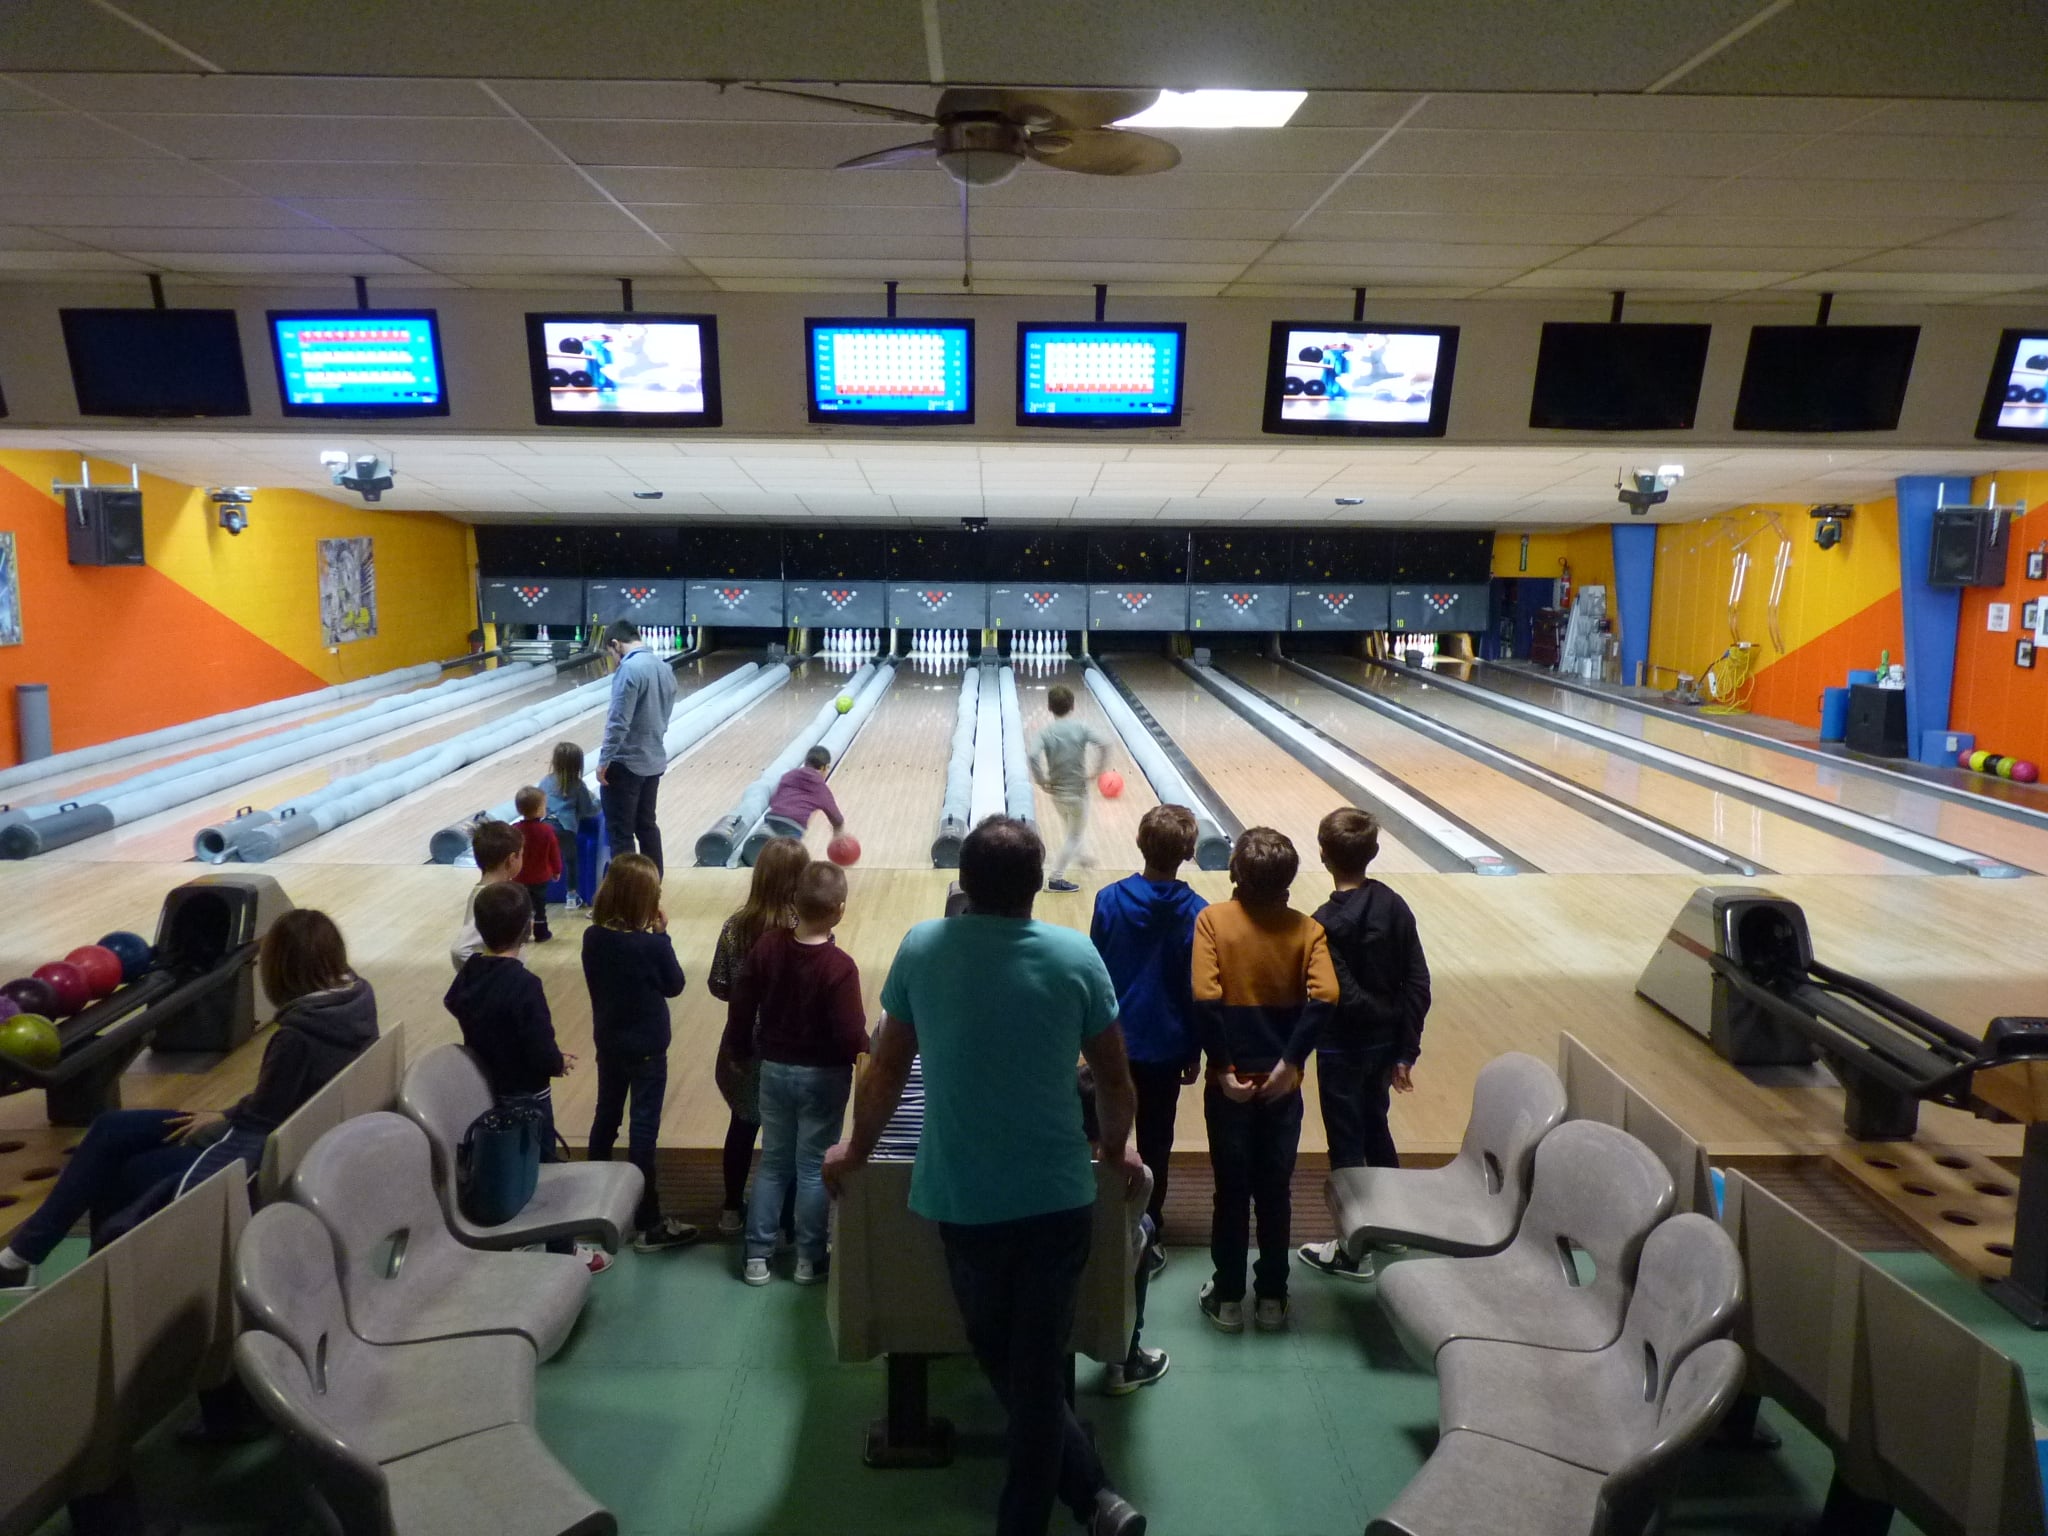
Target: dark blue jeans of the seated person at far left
{"type": "Point", "coordinates": [122, 1172]}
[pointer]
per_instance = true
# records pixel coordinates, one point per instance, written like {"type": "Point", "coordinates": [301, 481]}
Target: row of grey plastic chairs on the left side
{"type": "Point", "coordinates": [392, 1345]}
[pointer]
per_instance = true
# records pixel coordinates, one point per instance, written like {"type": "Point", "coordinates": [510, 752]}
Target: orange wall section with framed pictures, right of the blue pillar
{"type": "Point", "coordinates": [2004, 706]}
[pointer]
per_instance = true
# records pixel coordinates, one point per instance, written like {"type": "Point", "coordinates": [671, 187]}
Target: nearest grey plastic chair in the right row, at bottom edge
{"type": "Point", "coordinates": [1478, 1484]}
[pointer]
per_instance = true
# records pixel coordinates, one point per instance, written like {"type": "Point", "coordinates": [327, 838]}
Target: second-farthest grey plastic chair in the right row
{"type": "Point", "coordinates": [1594, 1191]}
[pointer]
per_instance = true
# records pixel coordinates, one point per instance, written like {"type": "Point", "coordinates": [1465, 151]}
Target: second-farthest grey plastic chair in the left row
{"type": "Point", "coordinates": [404, 1277]}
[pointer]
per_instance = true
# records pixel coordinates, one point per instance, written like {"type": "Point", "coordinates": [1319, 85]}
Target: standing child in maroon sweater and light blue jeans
{"type": "Point", "coordinates": [798, 1007]}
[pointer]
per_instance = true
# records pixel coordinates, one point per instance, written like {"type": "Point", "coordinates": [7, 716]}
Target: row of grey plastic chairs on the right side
{"type": "Point", "coordinates": [1576, 1326]}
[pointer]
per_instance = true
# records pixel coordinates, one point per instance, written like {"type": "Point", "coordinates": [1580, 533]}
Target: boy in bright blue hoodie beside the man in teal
{"type": "Point", "coordinates": [1144, 931]}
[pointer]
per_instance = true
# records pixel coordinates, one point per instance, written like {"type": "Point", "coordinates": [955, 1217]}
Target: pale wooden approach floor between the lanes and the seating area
{"type": "Point", "coordinates": [1514, 962]}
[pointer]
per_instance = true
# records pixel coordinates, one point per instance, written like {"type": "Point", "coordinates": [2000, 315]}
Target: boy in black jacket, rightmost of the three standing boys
{"type": "Point", "coordinates": [1383, 996]}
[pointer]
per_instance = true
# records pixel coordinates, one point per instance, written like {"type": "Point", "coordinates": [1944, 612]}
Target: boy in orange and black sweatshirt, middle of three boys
{"type": "Point", "coordinates": [1263, 992]}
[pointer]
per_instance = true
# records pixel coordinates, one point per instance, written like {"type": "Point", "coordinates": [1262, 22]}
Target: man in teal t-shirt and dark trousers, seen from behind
{"type": "Point", "coordinates": [998, 1007]}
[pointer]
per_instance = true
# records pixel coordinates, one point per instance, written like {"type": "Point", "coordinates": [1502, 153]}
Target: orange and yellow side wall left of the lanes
{"type": "Point", "coordinates": [212, 622]}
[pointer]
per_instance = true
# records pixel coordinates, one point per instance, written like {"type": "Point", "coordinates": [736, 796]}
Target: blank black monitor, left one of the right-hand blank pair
{"type": "Point", "coordinates": [1613, 378]}
